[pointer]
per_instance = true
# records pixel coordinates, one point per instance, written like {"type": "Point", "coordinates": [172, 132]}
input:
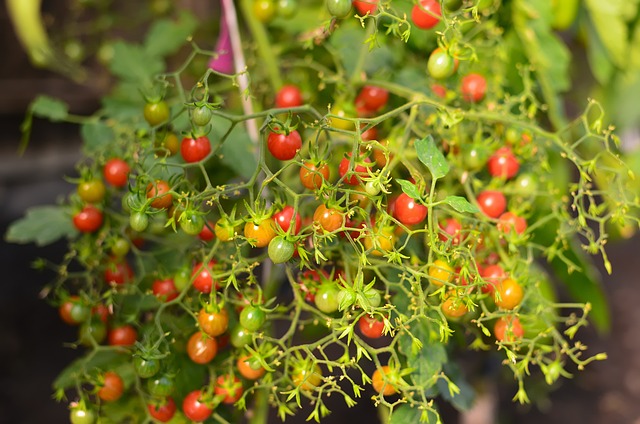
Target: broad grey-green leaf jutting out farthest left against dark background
{"type": "Point", "coordinates": [41, 225]}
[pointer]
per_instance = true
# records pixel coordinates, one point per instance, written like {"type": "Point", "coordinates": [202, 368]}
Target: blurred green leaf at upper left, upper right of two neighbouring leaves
{"type": "Point", "coordinates": [166, 36]}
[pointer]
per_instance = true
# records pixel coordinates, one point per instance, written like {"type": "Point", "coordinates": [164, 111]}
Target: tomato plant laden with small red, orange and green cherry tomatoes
{"type": "Point", "coordinates": [347, 170]}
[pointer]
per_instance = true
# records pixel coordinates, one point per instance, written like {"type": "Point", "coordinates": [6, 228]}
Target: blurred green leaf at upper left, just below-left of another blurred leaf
{"type": "Point", "coordinates": [133, 63]}
